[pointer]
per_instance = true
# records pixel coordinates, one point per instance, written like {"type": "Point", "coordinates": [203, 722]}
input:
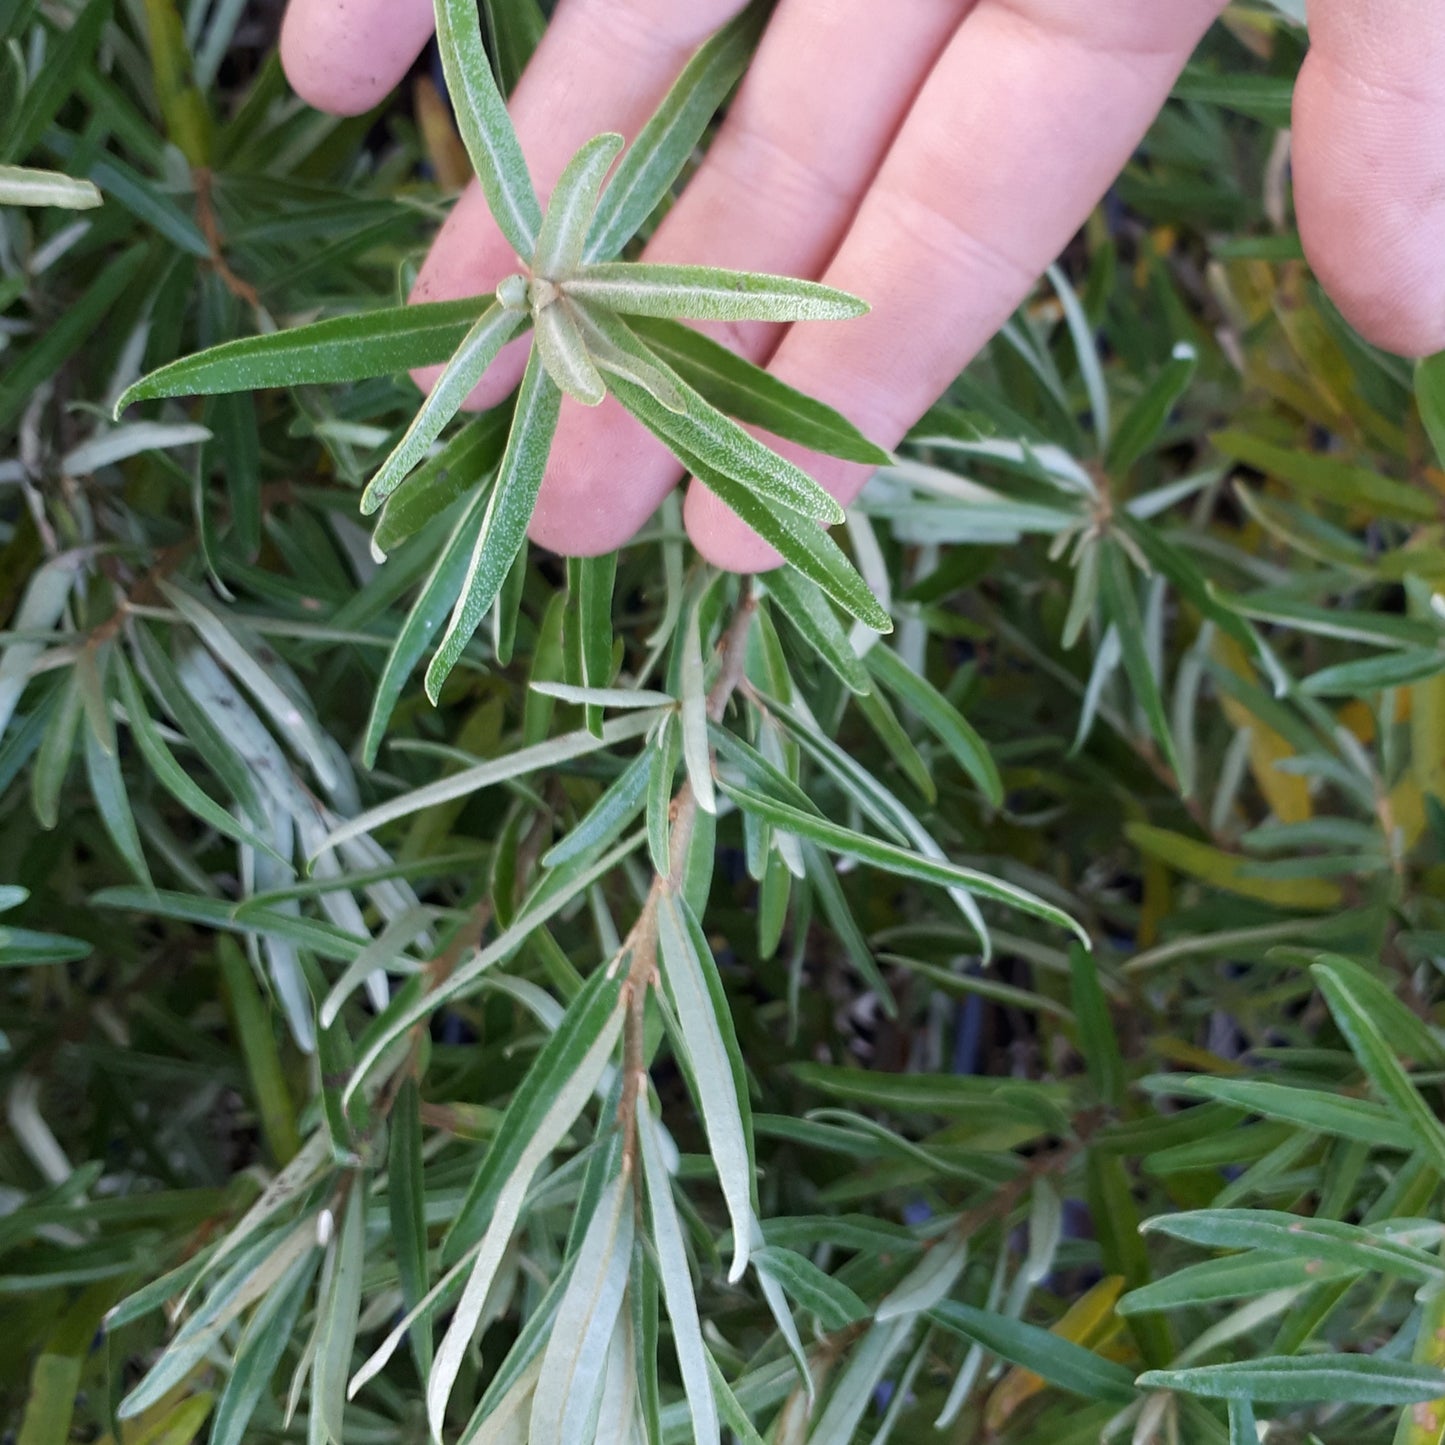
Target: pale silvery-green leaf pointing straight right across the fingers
{"type": "Point", "coordinates": [710, 294]}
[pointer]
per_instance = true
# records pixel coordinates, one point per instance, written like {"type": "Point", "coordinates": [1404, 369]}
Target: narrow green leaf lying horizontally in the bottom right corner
{"type": "Point", "coordinates": [1349, 1379]}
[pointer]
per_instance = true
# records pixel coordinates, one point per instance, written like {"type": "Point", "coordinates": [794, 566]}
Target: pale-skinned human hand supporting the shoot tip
{"type": "Point", "coordinates": [933, 157]}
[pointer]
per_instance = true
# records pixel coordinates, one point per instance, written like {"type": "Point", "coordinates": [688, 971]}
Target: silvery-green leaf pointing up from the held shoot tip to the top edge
{"type": "Point", "coordinates": [486, 128]}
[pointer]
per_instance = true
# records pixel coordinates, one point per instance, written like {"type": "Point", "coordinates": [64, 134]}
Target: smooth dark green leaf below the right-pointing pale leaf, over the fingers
{"type": "Point", "coordinates": [746, 392]}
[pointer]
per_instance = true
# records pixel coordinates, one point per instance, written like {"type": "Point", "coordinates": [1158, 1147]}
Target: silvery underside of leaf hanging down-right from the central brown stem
{"type": "Point", "coordinates": [683, 972]}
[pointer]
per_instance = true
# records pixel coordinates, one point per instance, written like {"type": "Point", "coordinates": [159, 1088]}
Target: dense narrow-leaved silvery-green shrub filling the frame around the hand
{"type": "Point", "coordinates": [979, 982]}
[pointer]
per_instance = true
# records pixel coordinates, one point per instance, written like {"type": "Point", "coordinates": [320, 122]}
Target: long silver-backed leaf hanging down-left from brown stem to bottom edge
{"type": "Point", "coordinates": [569, 1083]}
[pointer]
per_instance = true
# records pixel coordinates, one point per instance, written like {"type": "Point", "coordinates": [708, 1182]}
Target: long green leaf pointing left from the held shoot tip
{"type": "Point", "coordinates": [345, 349]}
